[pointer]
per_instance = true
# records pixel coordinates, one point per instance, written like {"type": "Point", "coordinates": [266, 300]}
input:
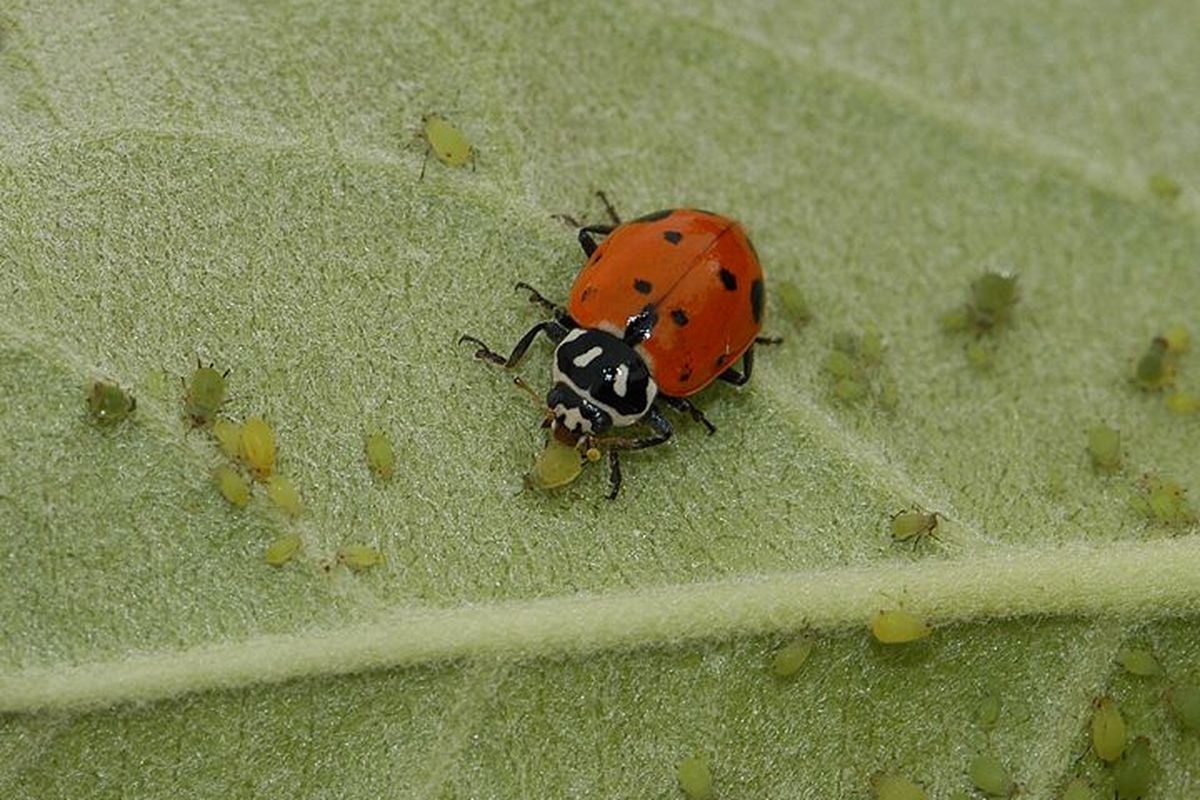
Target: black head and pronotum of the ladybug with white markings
{"type": "Point", "coordinates": [601, 383]}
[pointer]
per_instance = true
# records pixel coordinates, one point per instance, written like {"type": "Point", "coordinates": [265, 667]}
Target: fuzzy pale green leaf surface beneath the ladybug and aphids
{"type": "Point", "coordinates": [241, 184]}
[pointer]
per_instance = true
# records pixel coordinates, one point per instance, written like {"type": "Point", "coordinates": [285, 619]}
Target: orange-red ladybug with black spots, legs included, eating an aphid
{"type": "Point", "coordinates": [665, 305]}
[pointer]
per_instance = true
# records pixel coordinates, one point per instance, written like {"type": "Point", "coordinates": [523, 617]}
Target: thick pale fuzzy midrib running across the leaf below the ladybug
{"type": "Point", "coordinates": [1137, 581]}
